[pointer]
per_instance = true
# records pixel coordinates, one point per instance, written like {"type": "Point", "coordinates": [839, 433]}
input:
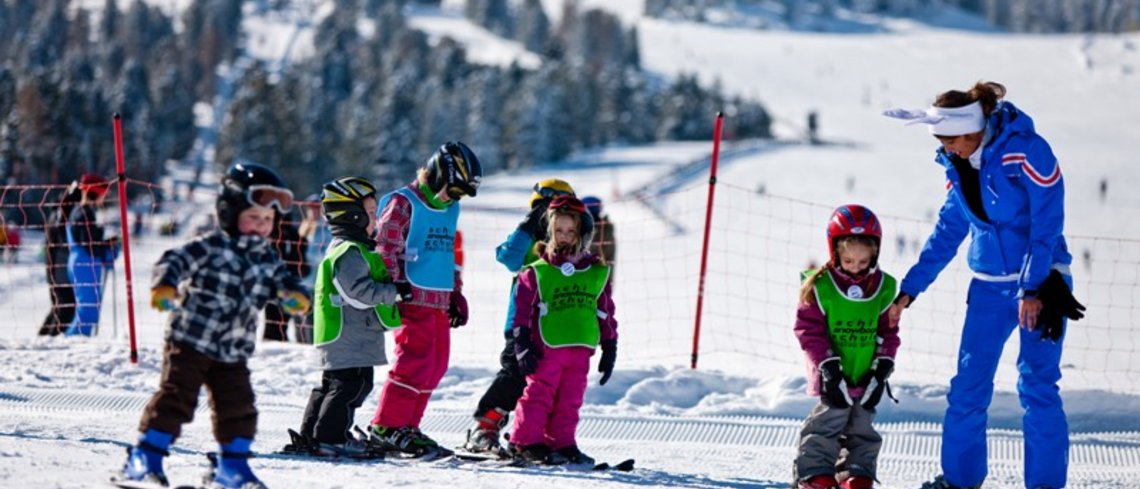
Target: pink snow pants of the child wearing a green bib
{"type": "Point", "coordinates": [548, 413]}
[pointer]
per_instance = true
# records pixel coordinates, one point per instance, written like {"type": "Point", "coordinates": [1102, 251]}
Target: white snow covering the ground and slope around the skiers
{"type": "Point", "coordinates": [68, 407]}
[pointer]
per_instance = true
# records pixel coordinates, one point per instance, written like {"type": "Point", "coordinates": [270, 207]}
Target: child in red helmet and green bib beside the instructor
{"type": "Point", "coordinates": [843, 327]}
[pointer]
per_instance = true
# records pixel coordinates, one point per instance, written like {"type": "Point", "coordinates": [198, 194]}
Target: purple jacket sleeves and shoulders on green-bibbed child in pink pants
{"type": "Point", "coordinates": [526, 299]}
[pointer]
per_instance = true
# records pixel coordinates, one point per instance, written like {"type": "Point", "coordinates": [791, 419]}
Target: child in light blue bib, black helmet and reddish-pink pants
{"type": "Point", "coordinates": [418, 226]}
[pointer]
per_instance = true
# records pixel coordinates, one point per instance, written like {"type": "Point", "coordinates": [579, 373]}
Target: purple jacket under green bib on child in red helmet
{"type": "Point", "coordinates": [812, 331]}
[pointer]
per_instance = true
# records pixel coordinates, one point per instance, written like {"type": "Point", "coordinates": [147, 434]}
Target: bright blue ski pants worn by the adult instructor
{"type": "Point", "coordinates": [991, 317]}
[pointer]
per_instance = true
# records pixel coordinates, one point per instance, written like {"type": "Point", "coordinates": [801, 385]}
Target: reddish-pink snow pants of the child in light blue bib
{"type": "Point", "coordinates": [424, 347]}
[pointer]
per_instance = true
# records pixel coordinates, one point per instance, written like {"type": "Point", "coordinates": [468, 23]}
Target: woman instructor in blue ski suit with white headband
{"type": "Point", "coordinates": [1005, 191]}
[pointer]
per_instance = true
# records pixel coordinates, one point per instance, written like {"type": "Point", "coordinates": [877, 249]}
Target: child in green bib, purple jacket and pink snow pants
{"type": "Point", "coordinates": [564, 313]}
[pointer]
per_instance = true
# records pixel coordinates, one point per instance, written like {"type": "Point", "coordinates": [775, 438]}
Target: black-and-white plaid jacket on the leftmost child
{"type": "Point", "coordinates": [224, 284]}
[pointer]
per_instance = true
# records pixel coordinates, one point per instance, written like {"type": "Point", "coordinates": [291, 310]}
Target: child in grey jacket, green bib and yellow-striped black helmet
{"type": "Point", "coordinates": [354, 303]}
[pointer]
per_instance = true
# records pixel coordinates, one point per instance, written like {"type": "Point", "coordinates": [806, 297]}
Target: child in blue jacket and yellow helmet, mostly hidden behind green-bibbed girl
{"type": "Point", "coordinates": [501, 398]}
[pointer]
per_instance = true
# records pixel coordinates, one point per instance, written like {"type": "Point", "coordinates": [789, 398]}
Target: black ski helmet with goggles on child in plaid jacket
{"type": "Point", "coordinates": [247, 185]}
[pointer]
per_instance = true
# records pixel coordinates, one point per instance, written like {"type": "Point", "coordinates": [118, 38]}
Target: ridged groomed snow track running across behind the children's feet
{"type": "Point", "coordinates": [910, 450]}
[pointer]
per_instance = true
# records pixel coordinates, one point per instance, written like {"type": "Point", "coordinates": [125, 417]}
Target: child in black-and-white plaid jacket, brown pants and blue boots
{"type": "Point", "coordinates": [215, 288]}
